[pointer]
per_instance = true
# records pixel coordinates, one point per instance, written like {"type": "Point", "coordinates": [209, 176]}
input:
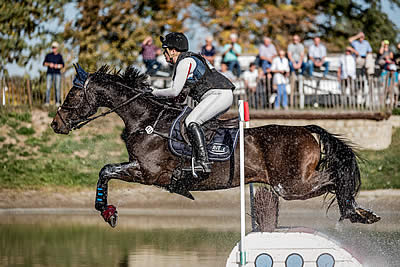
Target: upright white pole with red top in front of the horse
{"type": "Point", "coordinates": [244, 117]}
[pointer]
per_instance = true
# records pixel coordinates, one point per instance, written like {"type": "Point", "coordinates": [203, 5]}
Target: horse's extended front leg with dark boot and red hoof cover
{"type": "Point", "coordinates": [128, 171]}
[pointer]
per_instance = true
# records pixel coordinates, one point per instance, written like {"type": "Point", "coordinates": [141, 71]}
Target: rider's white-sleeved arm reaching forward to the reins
{"type": "Point", "coordinates": [184, 70]}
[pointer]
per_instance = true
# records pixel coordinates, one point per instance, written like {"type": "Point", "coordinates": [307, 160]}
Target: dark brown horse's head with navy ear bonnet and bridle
{"type": "Point", "coordinates": [79, 104]}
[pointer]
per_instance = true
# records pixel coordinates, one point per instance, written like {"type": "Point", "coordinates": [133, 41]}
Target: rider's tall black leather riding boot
{"type": "Point", "coordinates": [196, 138]}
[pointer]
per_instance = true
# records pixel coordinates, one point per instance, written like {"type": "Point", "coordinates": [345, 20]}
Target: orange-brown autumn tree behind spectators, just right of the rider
{"type": "Point", "coordinates": [253, 19]}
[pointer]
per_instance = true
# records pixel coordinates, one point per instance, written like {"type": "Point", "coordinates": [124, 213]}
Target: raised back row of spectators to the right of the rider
{"type": "Point", "coordinates": [304, 62]}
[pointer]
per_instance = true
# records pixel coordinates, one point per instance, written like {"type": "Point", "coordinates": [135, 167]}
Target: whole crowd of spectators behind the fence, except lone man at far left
{"type": "Point", "coordinates": [274, 64]}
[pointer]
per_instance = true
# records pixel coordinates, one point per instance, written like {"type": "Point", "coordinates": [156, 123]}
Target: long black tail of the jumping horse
{"type": "Point", "coordinates": [339, 160]}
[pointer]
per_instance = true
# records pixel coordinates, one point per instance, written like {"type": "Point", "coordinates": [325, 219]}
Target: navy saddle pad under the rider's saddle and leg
{"type": "Point", "coordinates": [220, 146]}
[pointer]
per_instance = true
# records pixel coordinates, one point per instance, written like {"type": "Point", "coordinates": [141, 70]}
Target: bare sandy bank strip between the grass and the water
{"type": "Point", "coordinates": [144, 207]}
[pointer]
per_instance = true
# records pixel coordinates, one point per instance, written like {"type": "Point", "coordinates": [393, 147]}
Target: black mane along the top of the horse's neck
{"type": "Point", "coordinates": [131, 77]}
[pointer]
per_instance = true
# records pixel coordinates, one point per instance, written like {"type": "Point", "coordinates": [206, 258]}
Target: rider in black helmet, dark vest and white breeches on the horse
{"type": "Point", "coordinates": [208, 87]}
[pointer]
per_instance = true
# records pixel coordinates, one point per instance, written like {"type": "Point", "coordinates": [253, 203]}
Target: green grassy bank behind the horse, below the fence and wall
{"type": "Point", "coordinates": [33, 156]}
